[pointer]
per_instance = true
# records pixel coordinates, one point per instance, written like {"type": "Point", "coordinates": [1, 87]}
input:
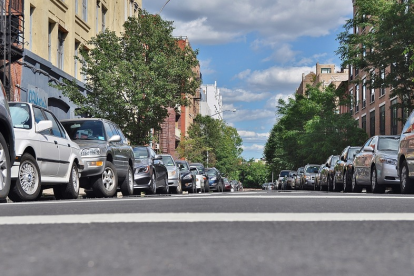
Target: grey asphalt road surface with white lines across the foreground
{"type": "Point", "coordinates": [243, 233]}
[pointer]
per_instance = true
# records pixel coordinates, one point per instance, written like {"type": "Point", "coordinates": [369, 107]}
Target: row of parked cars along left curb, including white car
{"type": "Point", "coordinates": [38, 152]}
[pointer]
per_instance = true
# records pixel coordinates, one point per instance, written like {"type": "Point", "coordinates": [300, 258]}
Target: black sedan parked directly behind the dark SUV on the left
{"type": "Point", "coordinates": [149, 170]}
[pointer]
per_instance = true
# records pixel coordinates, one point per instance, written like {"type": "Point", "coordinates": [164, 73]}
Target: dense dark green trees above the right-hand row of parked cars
{"type": "Point", "coordinates": [309, 130]}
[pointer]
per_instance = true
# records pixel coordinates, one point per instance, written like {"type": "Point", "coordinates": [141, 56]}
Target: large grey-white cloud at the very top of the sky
{"type": "Point", "coordinates": [218, 21]}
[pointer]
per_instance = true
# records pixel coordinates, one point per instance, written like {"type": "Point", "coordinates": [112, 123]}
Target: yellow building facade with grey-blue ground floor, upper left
{"type": "Point", "coordinates": [54, 32]}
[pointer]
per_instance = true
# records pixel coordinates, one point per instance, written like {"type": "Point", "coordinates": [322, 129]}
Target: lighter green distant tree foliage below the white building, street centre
{"type": "Point", "coordinates": [213, 138]}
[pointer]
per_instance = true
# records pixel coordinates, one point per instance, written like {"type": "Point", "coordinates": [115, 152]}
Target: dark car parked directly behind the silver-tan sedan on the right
{"type": "Point", "coordinates": [343, 170]}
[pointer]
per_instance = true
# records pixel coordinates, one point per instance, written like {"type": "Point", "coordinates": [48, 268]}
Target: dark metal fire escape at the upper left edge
{"type": "Point", "coordinates": [11, 39]}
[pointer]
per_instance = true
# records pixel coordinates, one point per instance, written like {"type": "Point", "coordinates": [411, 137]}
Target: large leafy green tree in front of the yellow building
{"type": "Point", "coordinates": [133, 78]}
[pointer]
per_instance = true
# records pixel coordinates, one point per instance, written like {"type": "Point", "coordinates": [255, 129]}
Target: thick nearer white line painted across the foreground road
{"type": "Point", "coordinates": [204, 217]}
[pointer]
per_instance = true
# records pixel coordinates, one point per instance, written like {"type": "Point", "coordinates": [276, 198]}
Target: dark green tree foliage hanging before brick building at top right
{"type": "Point", "coordinates": [379, 40]}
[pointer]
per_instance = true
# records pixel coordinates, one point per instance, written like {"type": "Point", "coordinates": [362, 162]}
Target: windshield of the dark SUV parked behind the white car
{"type": "Point", "coordinates": [85, 130]}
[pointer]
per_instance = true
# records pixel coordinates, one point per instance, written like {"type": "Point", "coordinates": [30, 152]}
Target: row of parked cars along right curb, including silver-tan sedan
{"type": "Point", "coordinates": [383, 161]}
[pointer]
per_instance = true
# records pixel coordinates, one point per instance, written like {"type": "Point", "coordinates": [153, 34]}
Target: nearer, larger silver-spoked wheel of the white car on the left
{"type": "Point", "coordinates": [27, 186]}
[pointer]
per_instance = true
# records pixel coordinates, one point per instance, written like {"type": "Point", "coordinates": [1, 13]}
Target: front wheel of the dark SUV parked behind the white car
{"type": "Point", "coordinates": [106, 185]}
